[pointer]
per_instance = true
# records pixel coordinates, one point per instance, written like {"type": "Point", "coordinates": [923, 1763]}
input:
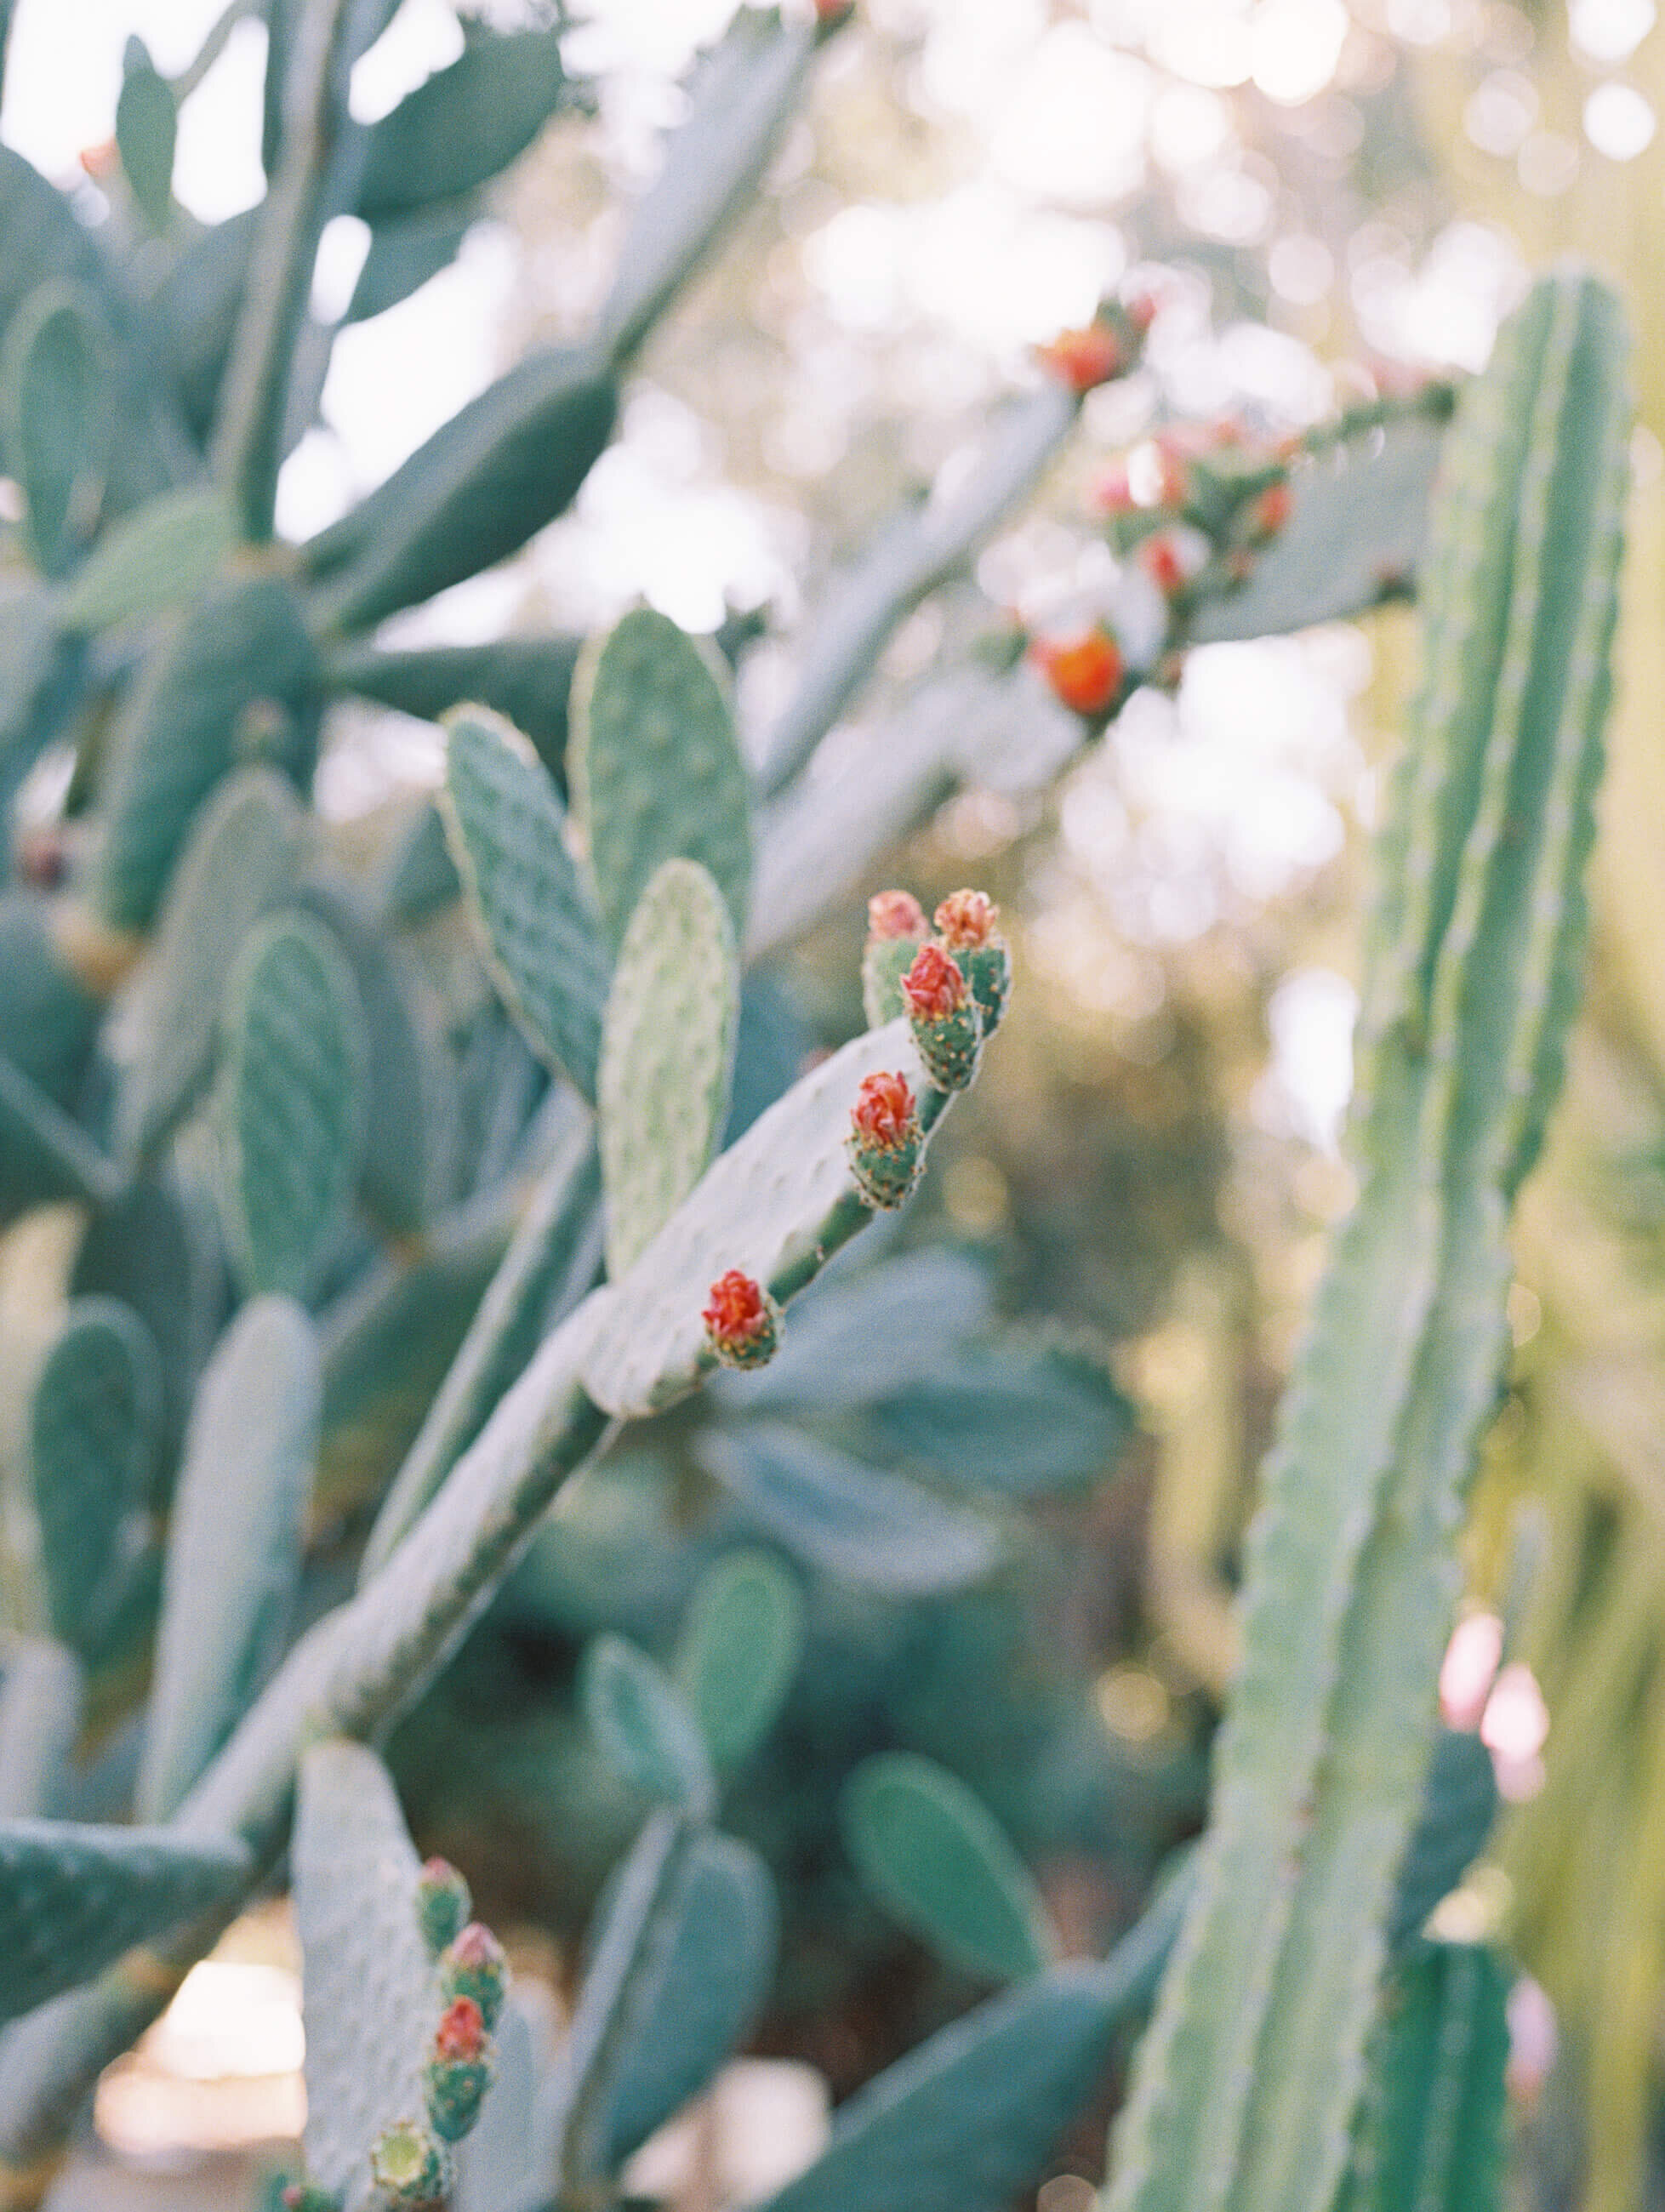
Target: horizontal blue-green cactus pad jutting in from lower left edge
{"type": "Point", "coordinates": [74, 1899]}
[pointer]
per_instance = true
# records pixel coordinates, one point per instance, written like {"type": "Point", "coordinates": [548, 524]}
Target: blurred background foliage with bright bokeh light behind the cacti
{"type": "Point", "coordinates": [1332, 200]}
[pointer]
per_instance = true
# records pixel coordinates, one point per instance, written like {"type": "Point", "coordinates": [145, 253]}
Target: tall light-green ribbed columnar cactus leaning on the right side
{"type": "Point", "coordinates": [1350, 1580]}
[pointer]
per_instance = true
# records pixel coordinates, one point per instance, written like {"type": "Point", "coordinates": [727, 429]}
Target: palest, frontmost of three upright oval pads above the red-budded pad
{"type": "Point", "coordinates": [667, 1054]}
